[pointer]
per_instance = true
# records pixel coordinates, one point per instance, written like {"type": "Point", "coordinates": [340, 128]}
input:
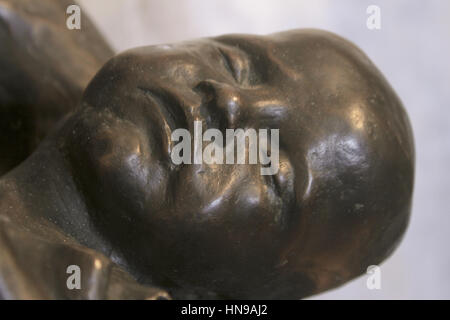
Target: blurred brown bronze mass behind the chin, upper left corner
{"type": "Point", "coordinates": [44, 68]}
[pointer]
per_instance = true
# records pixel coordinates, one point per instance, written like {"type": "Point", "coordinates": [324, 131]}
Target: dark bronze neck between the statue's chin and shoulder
{"type": "Point", "coordinates": [41, 195]}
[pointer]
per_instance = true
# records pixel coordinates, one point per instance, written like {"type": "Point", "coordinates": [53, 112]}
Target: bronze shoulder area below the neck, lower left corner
{"type": "Point", "coordinates": [33, 267]}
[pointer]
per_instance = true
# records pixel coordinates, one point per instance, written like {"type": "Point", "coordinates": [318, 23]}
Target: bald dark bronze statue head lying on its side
{"type": "Point", "coordinates": [340, 199]}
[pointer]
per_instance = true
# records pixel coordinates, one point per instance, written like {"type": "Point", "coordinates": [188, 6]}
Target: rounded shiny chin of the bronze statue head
{"type": "Point", "coordinates": [122, 173]}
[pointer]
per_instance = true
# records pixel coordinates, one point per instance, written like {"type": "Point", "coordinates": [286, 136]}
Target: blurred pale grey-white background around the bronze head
{"type": "Point", "coordinates": [412, 49]}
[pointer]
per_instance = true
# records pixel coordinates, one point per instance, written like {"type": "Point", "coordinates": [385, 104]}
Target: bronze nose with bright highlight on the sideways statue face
{"type": "Point", "coordinates": [221, 101]}
